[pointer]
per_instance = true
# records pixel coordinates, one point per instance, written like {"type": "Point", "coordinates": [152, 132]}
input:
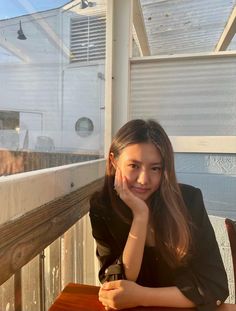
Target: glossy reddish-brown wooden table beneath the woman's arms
{"type": "Point", "coordinates": [78, 297]}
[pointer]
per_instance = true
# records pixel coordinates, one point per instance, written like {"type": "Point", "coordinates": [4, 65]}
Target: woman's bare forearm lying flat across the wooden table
{"type": "Point", "coordinates": [164, 297]}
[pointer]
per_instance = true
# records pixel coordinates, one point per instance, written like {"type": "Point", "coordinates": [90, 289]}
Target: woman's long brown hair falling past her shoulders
{"type": "Point", "coordinates": [167, 207]}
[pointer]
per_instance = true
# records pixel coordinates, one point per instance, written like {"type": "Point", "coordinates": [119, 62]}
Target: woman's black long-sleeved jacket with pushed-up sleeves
{"type": "Point", "coordinates": [203, 280]}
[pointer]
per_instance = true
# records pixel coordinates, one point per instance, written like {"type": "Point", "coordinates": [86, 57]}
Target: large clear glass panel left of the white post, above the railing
{"type": "Point", "coordinates": [47, 85]}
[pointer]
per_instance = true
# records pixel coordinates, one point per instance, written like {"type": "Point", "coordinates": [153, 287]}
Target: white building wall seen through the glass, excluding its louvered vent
{"type": "Point", "coordinates": [38, 79]}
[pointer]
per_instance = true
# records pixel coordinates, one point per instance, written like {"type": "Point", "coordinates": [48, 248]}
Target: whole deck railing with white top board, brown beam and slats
{"type": "Point", "coordinates": [51, 244]}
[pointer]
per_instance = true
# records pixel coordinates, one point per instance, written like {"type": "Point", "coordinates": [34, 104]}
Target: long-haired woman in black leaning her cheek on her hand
{"type": "Point", "coordinates": [158, 229]}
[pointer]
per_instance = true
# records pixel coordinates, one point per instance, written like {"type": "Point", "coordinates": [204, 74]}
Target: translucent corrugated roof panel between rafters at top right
{"type": "Point", "coordinates": [184, 26]}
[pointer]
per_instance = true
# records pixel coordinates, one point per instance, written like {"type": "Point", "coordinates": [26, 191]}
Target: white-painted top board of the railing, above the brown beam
{"type": "Point", "coordinates": [46, 185]}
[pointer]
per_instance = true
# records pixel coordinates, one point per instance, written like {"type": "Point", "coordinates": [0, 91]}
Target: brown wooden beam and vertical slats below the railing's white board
{"type": "Point", "coordinates": [27, 245]}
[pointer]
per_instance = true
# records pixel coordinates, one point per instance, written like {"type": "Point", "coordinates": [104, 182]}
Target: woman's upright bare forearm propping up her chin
{"type": "Point", "coordinates": [133, 251]}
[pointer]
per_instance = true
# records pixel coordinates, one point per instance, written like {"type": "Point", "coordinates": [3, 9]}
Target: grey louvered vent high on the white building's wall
{"type": "Point", "coordinates": [88, 38]}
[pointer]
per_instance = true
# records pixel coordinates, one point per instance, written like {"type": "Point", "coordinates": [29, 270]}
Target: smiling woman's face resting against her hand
{"type": "Point", "coordinates": [141, 164]}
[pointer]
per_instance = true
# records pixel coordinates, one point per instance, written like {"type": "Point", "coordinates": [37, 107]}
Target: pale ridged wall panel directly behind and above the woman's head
{"type": "Point", "coordinates": [189, 96]}
